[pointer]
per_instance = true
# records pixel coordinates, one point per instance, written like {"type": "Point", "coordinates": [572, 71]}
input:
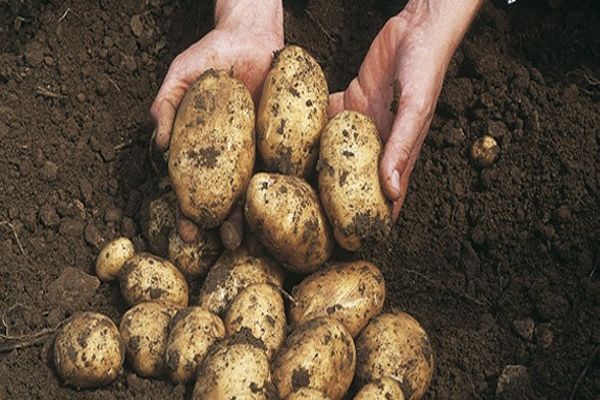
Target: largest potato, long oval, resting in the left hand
{"type": "Point", "coordinates": [212, 150]}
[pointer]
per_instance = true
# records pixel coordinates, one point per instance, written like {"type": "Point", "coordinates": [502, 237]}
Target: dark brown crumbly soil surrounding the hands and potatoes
{"type": "Point", "coordinates": [499, 265]}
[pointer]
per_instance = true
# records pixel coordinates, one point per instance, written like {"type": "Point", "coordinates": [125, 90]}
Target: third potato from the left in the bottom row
{"type": "Point", "coordinates": [192, 333]}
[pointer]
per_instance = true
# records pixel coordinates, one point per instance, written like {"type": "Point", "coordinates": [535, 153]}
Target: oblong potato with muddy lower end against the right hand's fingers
{"type": "Point", "coordinates": [349, 181]}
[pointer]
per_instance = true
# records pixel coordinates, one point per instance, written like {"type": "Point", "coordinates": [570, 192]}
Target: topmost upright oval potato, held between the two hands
{"type": "Point", "coordinates": [292, 113]}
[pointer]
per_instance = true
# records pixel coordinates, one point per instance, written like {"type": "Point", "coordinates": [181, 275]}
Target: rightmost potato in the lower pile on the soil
{"type": "Point", "coordinates": [395, 345]}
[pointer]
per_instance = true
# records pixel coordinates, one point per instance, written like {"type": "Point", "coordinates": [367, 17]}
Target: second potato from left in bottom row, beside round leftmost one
{"type": "Point", "coordinates": [144, 329]}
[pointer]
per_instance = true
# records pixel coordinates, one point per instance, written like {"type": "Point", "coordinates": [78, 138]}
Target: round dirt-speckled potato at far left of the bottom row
{"type": "Point", "coordinates": [88, 350]}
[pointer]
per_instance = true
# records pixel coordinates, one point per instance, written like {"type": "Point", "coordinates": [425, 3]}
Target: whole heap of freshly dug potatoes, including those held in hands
{"type": "Point", "coordinates": [244, 336]}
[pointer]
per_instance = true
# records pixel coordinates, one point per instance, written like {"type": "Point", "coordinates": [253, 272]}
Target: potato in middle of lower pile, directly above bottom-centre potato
{"type": "Point", "coordinates": [259, 311]}
